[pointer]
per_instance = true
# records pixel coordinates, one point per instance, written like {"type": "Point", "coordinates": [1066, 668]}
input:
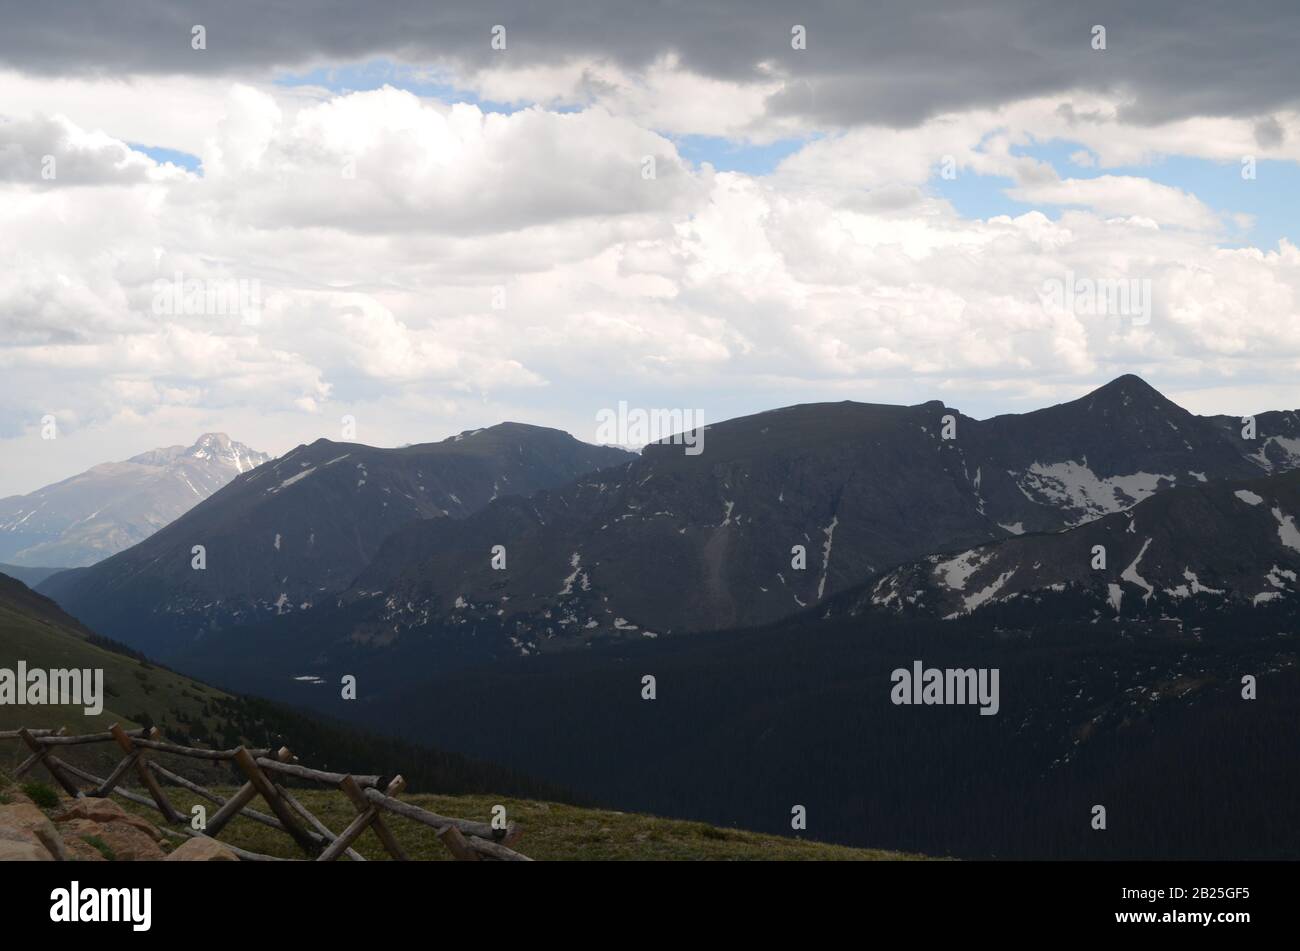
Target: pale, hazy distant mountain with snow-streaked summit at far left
{"type": "Point", "coordinates": [111, 507]}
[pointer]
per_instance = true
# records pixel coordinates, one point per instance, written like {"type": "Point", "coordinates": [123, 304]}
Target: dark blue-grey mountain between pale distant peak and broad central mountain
{"type": "Point", "coordinates": [298, 529]}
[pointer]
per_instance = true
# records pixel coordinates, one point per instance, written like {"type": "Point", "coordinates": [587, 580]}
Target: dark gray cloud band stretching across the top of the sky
{"type": "Point", "coordinates": [894, 63]}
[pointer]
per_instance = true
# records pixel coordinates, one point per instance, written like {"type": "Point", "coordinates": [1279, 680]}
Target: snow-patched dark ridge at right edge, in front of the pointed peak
{"type": "Point", "coordinates": [1201, 549]}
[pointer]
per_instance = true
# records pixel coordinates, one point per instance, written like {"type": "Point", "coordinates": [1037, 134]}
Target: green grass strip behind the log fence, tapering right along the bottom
{"type": "Point", "coordinates": [552, 832]}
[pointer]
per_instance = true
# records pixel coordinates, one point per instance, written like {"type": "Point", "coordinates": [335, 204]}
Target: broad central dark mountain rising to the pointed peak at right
{"type": "Point", "coordinates": [675, 544]}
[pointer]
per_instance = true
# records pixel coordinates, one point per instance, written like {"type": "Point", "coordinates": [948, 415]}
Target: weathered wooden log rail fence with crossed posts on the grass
{"type": "Point", "coordinates": [265, 774]}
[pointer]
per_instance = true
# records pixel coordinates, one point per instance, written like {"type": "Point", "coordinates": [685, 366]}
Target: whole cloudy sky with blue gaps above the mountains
{"type": "Point", "coordinates": [662, 203]}
